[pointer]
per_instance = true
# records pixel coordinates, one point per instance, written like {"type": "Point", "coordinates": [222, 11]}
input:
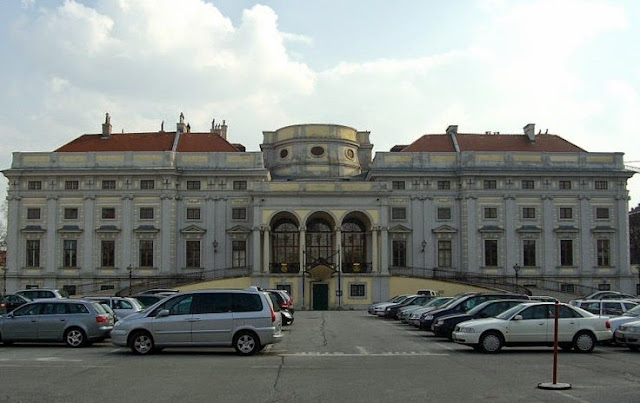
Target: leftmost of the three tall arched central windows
{"type": "Point", "coordinates": [285, 246]}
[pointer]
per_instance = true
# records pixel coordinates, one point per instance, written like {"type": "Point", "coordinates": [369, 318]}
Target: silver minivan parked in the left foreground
{"type": "Point", "coordinates": [243, 319]}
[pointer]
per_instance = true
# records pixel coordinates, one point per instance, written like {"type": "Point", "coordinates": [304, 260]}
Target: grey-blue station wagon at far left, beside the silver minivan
{"type": "Point", "coordinates": [75, 322]}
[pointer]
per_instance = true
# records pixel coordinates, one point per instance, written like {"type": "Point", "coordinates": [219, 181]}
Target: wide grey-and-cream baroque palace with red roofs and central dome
{"type": "Point", "coordinates": [315, 212]}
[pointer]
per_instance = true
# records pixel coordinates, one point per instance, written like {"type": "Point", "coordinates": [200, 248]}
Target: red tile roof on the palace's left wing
{"type": "Point", "coordinates": [158, 141]}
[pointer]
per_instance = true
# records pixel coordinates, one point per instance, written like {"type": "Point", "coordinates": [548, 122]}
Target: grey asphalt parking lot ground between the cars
{"type": "Point", "coordinates": [326, 356]}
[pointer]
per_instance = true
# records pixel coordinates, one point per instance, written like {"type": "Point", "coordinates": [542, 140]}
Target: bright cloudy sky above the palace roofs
{"type": "Point", "coordinates": [399, 69]}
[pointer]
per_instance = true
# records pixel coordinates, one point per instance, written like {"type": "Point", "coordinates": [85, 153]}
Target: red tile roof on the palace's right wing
{"type": "Point", "coordinates": [492, 142]}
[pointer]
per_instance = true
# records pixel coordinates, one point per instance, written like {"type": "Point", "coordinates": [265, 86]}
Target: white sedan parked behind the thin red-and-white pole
{"type": "Point", "coordinates": [532, 324]}
